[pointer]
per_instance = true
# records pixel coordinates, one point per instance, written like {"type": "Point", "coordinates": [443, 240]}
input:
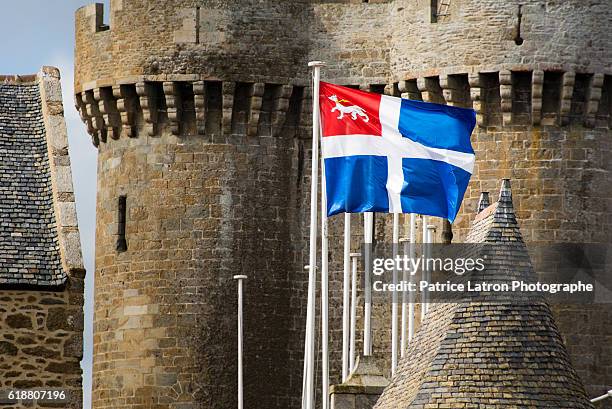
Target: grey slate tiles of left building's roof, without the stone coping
{"type": "Point", "coordinates": [29, 247]}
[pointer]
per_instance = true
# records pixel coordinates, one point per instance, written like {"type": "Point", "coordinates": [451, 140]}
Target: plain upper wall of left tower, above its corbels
{"type": "Point", "coordinates": [236, 40]}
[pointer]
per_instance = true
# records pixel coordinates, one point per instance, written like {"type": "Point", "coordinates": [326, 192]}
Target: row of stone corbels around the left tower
{"type": "Point", "coordinates": [186, 107]}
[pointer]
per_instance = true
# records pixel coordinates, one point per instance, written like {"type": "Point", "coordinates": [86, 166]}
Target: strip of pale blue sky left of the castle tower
{"type": "Point", "coordinates": [34, 33]}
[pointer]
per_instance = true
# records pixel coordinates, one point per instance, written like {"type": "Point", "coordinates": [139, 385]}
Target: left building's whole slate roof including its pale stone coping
{"type": "Point", "coordinates": [41, 242]}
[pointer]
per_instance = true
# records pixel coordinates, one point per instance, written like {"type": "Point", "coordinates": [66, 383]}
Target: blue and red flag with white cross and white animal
{"type": "Point", "coordinates": [393, 155]}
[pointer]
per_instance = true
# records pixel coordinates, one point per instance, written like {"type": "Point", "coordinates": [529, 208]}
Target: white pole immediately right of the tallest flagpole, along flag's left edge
{"type": "Point", "coordinates": [324, 293]}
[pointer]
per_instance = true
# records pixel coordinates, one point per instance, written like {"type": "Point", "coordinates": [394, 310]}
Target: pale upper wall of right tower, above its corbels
{"type": "Point", "coordinates": [484, 35]}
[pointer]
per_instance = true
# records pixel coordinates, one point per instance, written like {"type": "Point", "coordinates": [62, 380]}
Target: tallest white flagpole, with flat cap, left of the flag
{"type": "Point", "coordinates": [308, 386]}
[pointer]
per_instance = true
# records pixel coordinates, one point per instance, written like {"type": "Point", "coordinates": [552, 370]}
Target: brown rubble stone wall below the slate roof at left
{"type": "Point", "coordinates": [41, 341]}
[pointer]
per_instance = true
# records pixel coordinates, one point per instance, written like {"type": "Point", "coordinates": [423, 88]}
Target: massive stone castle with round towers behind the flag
{"type": "Point", "coordinates": [200, 111]}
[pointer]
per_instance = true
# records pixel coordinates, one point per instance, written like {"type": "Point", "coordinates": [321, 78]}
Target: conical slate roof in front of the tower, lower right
{"type": "Point", "coordinates": [488, 354]}
